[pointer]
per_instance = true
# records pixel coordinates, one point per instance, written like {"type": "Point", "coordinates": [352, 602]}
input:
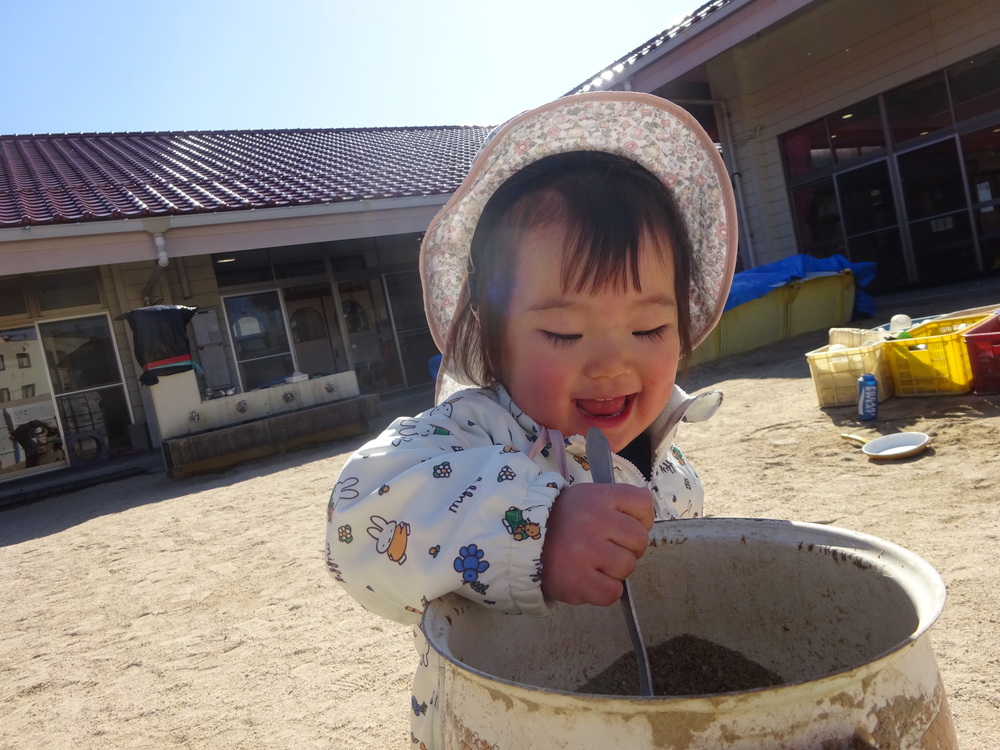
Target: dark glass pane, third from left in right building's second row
{"type": "Point", "coordinates": [932, 180]}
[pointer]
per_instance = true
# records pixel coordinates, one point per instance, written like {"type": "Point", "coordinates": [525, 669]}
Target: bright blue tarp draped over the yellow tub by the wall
{"type": "Point", "coordinates": [757, 282]}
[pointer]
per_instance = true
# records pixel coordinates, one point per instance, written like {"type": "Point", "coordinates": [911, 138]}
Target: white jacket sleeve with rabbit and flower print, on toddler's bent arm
{"type": "Point", "coordinates": [433, 506]}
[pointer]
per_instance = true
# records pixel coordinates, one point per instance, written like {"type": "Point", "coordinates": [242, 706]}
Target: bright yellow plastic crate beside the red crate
{"type": "Point", "coordinates": [934, 360]}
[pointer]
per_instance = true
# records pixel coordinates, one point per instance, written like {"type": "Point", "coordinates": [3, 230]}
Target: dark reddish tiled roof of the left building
{"type": "Point", "coordinates": [49, 179]}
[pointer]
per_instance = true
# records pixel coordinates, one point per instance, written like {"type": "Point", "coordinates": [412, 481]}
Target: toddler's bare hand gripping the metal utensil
{"type": "Point", "coordinates": [594, 536]}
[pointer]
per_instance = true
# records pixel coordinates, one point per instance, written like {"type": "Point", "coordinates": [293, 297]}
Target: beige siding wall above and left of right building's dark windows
{"type": "Point", "coordinates": [831, 56]}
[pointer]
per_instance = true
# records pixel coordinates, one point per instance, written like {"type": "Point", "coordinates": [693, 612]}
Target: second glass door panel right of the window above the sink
{"type": "Point", "coordinates": [369, 335]}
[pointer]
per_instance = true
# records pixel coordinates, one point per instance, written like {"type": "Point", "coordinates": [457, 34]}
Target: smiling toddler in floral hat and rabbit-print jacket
{"type": "Point", "coordinates": [590, 248]}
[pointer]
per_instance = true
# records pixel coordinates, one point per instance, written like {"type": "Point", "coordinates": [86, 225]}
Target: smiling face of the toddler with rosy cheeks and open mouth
{"type": "Point", "coordinates": [579, 360]}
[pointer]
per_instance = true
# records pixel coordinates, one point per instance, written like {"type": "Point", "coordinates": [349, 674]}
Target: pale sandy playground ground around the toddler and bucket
{"type": "Point", "coordinates": [153, 613]}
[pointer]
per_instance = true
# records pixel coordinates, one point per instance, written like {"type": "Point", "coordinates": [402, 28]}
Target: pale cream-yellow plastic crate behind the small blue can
{"type": "Point", "coordinates": [835, 373]}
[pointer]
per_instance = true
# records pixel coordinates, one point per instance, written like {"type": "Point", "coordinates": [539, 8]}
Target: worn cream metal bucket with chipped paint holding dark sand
{"type": "Point", "coordinates": [842, 617]}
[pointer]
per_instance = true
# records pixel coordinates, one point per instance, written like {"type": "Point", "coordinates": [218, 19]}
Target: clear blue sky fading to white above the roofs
{"type": "Point", "coordinates": [129, 65]}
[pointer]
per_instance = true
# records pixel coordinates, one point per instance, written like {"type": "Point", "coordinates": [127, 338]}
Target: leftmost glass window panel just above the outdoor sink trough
{"type": "Point", "coordinates": [260, 340]}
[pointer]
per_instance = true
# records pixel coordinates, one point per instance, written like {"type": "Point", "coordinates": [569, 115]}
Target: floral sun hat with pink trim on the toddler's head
{"type": "Point", "coordinates": [659, 135]}
